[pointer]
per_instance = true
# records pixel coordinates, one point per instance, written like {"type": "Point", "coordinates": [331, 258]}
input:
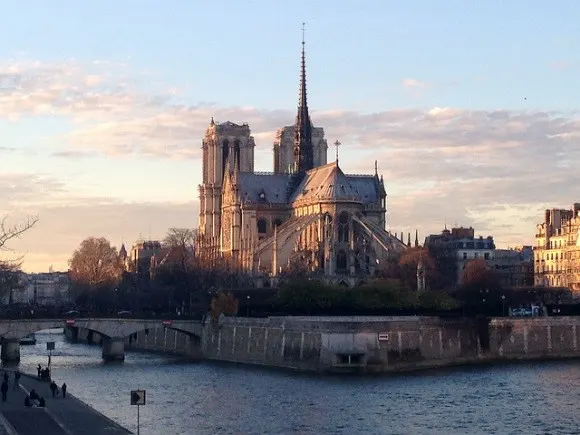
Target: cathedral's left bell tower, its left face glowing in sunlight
{"type": "Point", "coordinates": [224, 145]}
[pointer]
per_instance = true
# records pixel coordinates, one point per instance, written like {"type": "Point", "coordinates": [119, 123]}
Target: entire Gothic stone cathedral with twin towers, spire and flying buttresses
{"type": "Point", "coordinates": [307, 216]}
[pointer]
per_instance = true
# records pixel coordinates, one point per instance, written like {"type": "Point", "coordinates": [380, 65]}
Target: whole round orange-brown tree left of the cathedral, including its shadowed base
{"type": "Point", "coordinates": [95, 270]}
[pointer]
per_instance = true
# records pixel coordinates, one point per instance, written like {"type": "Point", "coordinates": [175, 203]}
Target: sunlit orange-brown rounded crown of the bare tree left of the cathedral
{"type": "Point", "coordinates": [95, 263]}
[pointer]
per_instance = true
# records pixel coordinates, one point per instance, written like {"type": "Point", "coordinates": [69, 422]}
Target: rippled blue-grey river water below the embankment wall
{"type": "Point", "coordinates": [206, 398]}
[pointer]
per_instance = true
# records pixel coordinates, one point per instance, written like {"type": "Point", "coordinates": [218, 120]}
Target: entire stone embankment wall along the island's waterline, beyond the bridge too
{"type": "Point", "coordinates": [367, 344]}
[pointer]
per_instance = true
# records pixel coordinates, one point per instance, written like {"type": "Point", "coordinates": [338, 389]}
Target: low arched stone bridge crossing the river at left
{"type": "Point", "coordinates": [113, 332]}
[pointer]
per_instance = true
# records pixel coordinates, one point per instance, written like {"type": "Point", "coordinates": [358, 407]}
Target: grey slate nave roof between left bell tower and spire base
{"type": "Point", "coordinates": [263, 188]}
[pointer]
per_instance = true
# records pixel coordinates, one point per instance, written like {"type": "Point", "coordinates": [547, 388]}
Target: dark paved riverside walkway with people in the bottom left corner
{"type": "Point", "coordinates": [68, 416]}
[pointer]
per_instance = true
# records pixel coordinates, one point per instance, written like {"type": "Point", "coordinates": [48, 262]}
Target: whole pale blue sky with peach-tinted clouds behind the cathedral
{"type": "Point", "coordinates": [469, 107]}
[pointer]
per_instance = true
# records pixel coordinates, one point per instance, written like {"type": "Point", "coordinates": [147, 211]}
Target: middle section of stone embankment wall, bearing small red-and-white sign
{"type": "Point", "coordinates": [372, 344]}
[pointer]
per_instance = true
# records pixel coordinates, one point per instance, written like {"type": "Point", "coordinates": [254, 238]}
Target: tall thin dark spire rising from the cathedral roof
{"type": "Point", "coordinates": [303, 152]}
